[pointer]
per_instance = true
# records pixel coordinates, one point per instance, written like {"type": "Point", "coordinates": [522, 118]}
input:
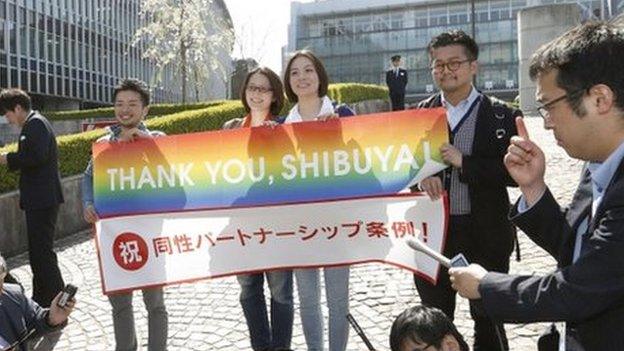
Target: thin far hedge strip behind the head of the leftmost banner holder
{"type": "Point", "coordinates": [107, 112]}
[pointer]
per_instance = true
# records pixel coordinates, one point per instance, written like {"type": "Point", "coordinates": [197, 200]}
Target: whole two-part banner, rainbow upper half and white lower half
{"type": "Point", "coordinates": [203, 205]}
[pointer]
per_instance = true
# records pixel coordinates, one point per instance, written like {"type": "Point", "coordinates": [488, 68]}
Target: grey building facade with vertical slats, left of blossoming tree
{"type": "Point", "coordinates": [74, 49]}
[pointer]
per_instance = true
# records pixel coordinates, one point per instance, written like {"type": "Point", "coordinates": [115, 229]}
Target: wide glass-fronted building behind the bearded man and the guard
{"type": "Point", "coordinates": [356, 45]}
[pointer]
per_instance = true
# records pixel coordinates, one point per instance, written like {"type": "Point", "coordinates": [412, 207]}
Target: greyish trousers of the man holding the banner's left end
{"type": "Point", "coordinates": [123, 320]}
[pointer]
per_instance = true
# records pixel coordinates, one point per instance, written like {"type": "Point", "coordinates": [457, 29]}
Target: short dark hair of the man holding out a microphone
{"type": "Point", "coordinates": [589, 54]}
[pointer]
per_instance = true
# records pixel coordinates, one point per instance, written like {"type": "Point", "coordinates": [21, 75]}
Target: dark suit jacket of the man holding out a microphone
{"type": "Point", "coordinates": [589, 293]}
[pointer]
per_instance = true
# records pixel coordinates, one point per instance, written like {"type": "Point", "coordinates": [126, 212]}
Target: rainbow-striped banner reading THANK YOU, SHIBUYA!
{"type": "Point", "coordinates": [345, 158]}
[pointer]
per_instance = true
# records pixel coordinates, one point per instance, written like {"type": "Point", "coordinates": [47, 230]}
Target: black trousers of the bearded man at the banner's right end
{"type": "Point", "coordinates": [462, 238]}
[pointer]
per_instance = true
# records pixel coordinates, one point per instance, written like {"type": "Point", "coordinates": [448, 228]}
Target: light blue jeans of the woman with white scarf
{"type": "Point", "coordinates": [337, 293]}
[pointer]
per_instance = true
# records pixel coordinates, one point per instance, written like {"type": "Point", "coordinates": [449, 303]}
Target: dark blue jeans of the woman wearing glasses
{"type": "Point", "coordinates": [278, 334]}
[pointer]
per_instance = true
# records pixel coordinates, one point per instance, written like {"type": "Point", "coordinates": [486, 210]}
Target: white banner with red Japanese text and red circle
{"type": "Point", "coordinates": [162, 249]}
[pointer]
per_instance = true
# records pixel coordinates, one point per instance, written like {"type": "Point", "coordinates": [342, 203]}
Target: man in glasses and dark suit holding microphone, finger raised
{"type": "Point", "coordinates": [579, 88]}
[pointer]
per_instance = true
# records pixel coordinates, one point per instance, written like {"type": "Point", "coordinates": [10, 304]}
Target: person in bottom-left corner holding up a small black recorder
{"type": "Point", "coordinates": [22, 316]}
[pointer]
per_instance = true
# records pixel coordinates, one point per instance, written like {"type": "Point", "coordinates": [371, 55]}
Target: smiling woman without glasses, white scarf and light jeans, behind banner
{"type": "Point", "coordinates": [306, 85]}
